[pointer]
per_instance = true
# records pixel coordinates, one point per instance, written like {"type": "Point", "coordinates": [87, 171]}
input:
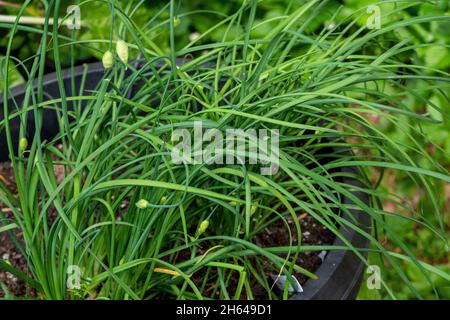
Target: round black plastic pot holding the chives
{"type": "Point", "coordinates": [339, 276]}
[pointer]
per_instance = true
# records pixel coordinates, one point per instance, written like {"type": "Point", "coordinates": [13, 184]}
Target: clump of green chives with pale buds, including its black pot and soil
{"type": "Point", "coordinates": [126, 186]}
